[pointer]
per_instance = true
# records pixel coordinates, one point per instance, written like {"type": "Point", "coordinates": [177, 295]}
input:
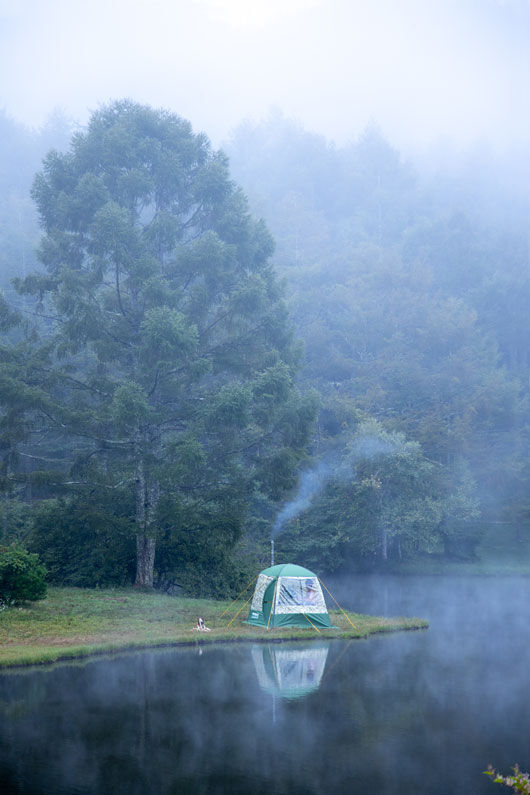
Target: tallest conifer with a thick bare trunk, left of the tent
{"type": "Point", "coordinates": [172, 354]}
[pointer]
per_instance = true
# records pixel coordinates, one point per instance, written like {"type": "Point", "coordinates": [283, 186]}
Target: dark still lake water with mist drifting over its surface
{"type": "Point", "coordinates": [417, 712]}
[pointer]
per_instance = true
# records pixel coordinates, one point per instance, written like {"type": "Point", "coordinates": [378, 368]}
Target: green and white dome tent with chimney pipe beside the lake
{"type": "Point", "coordinates": [288, 596]}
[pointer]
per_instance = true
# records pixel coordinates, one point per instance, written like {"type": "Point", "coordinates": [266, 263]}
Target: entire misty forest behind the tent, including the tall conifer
{"type": "Point", "coordinates": [201, 349]}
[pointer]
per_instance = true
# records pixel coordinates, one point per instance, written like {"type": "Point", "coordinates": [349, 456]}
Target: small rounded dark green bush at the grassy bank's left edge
{"type": "Point", "coordinates": [22, 575]}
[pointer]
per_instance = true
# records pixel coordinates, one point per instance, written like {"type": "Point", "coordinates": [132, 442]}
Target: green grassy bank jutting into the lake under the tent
{"type": "Point", "coordinates": [75, 622]}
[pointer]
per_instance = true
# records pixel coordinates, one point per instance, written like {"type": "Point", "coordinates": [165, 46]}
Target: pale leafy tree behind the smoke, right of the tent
{"type": "Point", "coordinates": [382, 501]}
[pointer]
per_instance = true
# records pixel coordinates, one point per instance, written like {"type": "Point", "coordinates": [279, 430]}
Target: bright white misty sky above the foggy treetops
{"type": "Point", "coordinates": [423, 70]}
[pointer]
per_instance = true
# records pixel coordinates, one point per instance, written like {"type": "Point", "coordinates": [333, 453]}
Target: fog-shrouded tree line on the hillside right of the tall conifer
{"type": "Point", "coordinates": [410, 290]}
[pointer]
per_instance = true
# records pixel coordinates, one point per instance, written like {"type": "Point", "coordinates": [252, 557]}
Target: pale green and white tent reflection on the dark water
{"type": "Point", "coordinates": [289, 671]}
